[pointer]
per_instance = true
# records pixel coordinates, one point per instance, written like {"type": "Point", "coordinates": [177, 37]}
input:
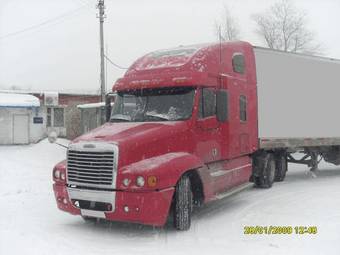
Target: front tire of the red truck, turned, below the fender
{"type": "Point", "coordinates": [183, 204]}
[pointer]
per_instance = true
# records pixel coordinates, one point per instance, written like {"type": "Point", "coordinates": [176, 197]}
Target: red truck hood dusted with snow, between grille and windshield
{"type": "Point", "coordinates": [137, 141]}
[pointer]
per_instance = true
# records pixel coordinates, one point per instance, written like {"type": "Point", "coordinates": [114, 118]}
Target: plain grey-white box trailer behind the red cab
{"type": "Point", "coordinates": [298, 106]}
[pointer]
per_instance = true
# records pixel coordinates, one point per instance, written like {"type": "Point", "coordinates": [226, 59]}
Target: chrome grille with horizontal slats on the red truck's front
{"type": "Point", "coordinates": [90, 167]}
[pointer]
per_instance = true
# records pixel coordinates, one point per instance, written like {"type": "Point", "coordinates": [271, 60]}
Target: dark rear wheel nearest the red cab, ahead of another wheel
{"type": "Point", "coordinates": [266, 164]}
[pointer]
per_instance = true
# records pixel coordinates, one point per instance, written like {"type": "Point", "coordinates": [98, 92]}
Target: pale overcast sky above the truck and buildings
{"type": "Point", "coordinates": [63, 54]}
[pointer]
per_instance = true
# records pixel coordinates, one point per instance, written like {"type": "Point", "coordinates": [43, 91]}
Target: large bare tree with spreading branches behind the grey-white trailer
{"type": "Point", "coordinates": [284, 27]}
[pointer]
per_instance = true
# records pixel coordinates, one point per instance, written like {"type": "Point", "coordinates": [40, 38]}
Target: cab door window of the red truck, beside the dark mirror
{"type": "Point", "coordinates": [207, 104]}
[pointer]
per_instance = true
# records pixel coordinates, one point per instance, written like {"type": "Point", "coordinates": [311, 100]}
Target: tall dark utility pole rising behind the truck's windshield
{"type": "Point", "coordinates": [101, 16]}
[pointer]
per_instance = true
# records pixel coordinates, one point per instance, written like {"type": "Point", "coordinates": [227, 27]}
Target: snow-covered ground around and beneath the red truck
{"type": "Point", "coordinates": [30, 223]}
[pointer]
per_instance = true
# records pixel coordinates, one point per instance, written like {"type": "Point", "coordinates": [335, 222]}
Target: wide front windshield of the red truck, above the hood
{"type": "Point", "coordinates": [166, 104]}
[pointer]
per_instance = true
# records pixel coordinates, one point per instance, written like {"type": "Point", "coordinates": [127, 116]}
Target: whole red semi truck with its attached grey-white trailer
{"type": "Point", "coordinates": [194, 124]}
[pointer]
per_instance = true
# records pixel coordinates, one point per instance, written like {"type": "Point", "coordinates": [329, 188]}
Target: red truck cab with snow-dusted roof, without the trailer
{"type": "Point", "coordinates": [181, 133]}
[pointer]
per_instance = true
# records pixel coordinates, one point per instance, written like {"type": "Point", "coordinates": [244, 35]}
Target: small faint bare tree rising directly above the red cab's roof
{"type": "Point", "coordinates": [227, 29]}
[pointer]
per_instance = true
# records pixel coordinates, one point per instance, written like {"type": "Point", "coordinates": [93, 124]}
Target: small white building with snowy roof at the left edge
{"type": "Point", "coordinates": [21, 119]}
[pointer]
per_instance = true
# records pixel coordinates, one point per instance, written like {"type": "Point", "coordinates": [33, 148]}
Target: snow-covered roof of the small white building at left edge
{"type": "Point", "coordinates": [18, 100]}
